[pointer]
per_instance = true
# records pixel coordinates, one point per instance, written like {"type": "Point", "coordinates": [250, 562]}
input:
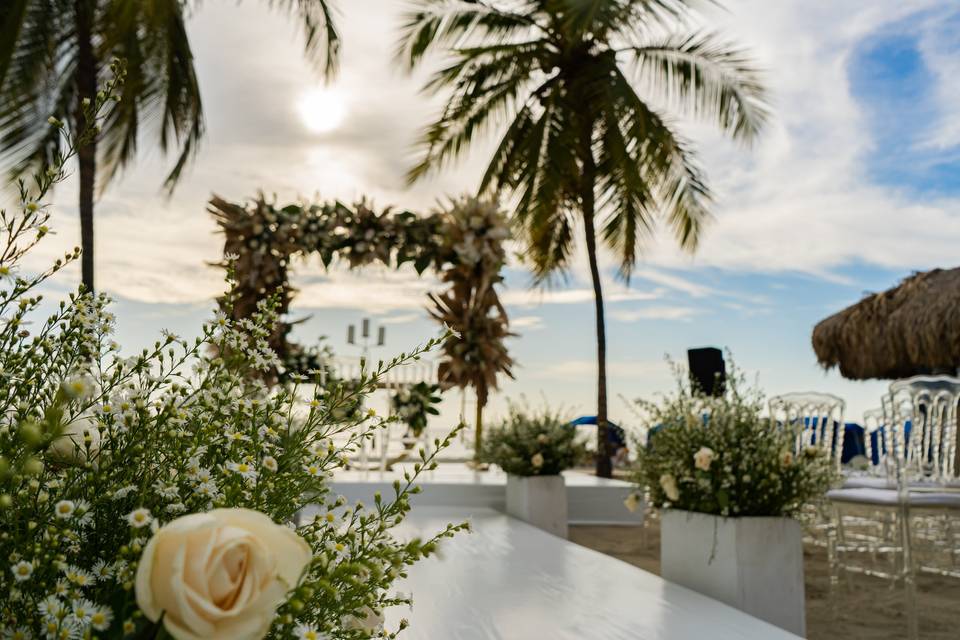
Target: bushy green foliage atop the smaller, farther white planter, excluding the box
{"type": "Point", "coordinates": [529, 443]}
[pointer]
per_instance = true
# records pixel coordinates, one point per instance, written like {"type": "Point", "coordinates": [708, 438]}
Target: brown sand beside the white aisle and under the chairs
{"type": "Point", "coordinates": [869, 608]}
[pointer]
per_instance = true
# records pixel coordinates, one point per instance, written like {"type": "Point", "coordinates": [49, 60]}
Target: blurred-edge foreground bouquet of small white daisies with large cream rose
{"type": "Point", "coordinates": [172, 493]}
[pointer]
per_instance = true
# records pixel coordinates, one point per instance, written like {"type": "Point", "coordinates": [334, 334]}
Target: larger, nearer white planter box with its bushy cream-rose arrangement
{"type": "Point", "coordinates": [731, 486]}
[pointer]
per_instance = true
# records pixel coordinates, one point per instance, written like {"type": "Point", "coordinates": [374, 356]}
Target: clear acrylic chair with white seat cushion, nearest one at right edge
{"type": "Point", "coordinates": [913, 516]}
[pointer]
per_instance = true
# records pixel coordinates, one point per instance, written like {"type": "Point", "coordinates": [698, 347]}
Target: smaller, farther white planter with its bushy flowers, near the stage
{"type": "Point", "coordinates": [534, 448]}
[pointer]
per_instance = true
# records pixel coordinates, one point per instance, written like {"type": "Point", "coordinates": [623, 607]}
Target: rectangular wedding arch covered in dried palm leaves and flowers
{"type": "Point", "coordinates": [463, 244]}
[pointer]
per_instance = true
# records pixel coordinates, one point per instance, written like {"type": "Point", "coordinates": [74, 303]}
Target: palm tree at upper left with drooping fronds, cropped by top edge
{"type": "Point", "coordinates": [52, 57]}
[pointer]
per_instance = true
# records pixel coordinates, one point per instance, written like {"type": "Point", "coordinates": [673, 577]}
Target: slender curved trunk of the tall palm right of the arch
{"type": "Point", "coordinates": [588, 203]}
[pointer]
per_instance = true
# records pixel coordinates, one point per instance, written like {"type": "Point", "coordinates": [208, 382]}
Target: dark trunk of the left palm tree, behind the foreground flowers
{"type": "Point", "coordinates": [87, 153]}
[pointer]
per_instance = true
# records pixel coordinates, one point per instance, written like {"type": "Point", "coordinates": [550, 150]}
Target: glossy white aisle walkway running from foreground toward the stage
{"type": "Point", "coordinates": [510, 581]}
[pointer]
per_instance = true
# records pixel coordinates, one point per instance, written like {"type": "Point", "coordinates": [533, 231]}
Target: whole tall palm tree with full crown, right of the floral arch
{"type": "Point", "coordinates": [584, 86]}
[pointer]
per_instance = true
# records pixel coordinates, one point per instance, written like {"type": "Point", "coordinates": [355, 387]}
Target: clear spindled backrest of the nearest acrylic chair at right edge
{"type": "Point", "coordinates": [922, 412]}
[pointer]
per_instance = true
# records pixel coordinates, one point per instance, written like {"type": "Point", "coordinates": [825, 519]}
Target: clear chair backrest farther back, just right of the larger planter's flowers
{"type": "Point", "coordinates": [816, 417]}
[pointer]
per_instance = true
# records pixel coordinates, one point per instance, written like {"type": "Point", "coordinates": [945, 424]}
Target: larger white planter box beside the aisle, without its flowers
{"type": "Point", "coordinates": [753, 564]}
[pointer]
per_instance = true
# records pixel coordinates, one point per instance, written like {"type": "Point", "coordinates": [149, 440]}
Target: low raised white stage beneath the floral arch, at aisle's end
{"type": "Point", "coordinates": [590, 500]}
